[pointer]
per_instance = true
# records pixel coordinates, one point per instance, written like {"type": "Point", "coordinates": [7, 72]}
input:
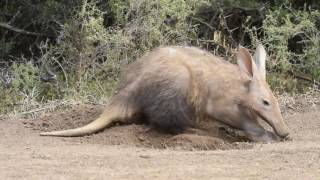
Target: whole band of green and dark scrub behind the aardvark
{"type": "Point", "coordinates": [52, 50]}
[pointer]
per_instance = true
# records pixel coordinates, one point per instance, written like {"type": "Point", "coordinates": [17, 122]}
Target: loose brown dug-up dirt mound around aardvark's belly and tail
{"type": "Point", "coordinates": [214, 136]}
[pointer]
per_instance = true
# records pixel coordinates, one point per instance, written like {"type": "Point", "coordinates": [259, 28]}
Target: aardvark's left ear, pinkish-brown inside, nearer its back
{"type": "Point", "coordinates": [245, 62]}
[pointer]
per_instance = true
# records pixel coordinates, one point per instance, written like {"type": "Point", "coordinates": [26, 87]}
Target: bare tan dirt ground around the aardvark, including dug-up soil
{"type": "Point", "coordinates": [135, 152]}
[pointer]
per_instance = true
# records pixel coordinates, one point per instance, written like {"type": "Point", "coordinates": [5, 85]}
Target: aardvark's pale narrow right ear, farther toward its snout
{"type": "Point", "coordinates": [260, 58]}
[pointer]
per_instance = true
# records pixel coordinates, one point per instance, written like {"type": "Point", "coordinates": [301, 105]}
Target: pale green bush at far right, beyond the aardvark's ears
{"type": "Point", "coordinates": [288, 31]}
